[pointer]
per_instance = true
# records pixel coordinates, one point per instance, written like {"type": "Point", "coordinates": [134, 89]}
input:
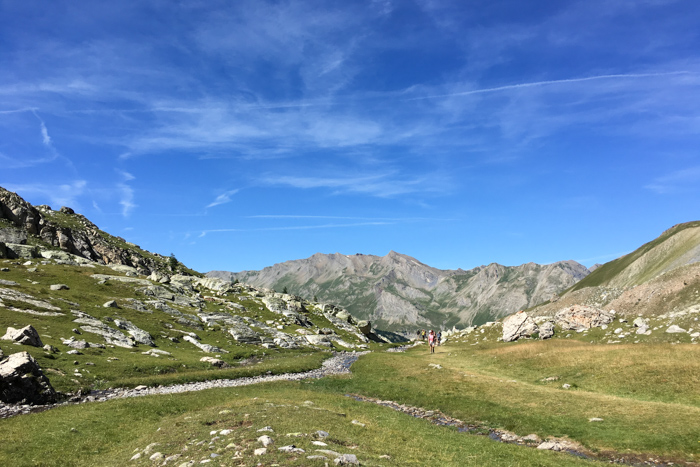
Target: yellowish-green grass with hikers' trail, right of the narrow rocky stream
{"type": "Point", "coordinates": [499, 386]}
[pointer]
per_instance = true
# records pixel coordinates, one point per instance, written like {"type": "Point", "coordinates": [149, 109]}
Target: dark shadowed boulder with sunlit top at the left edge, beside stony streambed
{"type": "Point", "coordinates": [21, 380]}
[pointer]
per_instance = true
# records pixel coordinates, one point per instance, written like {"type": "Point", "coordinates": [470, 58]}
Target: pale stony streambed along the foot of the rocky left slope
{"type": "Point", "coordinates": [336, 365]}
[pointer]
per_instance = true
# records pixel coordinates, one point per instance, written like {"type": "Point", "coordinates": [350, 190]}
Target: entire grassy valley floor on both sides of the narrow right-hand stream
{"type": "Point", "coordinates": [647, 395]}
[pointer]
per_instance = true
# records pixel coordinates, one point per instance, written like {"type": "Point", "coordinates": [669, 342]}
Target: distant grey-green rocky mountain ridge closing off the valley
{"type": "Point", "coordinates": [398, 292]}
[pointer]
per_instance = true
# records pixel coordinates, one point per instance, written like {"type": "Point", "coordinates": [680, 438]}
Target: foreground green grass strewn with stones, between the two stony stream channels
{"type": "Point", "coordinates": [109, 434]}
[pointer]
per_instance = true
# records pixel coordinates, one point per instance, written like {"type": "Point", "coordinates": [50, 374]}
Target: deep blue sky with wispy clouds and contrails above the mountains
{"type": "Point", "coordinates": [241, 134]}
